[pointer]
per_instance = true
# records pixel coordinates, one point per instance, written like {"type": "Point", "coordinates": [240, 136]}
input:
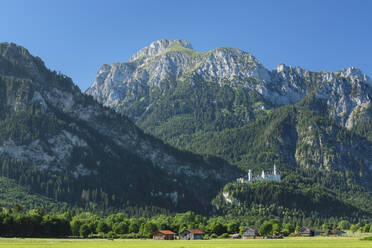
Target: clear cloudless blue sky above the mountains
{"type": "Point", "coordinates": [76, 37]}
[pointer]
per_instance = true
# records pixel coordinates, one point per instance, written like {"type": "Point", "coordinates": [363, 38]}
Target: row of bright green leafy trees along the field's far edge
{"type": "Point", "coordinates": [14, 222]}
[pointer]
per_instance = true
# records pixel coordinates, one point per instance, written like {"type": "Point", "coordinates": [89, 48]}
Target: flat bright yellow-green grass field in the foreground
{"type": "Point", "coordinates": [326, 242]}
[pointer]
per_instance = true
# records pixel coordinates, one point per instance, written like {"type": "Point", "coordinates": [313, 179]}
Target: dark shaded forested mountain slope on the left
{"type": "Point", "coordinates": [63, 145]}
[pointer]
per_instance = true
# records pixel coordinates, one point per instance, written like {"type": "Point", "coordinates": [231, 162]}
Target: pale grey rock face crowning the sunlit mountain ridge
{"type": "Point", "coordinates": [347, 92]}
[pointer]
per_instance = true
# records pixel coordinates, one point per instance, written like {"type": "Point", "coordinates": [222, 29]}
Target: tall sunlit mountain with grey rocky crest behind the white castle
{"type": "Point", "coordinates": [316, 126]}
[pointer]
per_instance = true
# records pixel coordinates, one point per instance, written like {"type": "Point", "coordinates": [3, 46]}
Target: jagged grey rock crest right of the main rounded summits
{"type": "Point", "coordinates": [347, 92]}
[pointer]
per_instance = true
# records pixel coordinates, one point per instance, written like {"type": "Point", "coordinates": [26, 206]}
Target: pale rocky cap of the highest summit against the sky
{"type": "Point", "coordinates": [160, 46]}
